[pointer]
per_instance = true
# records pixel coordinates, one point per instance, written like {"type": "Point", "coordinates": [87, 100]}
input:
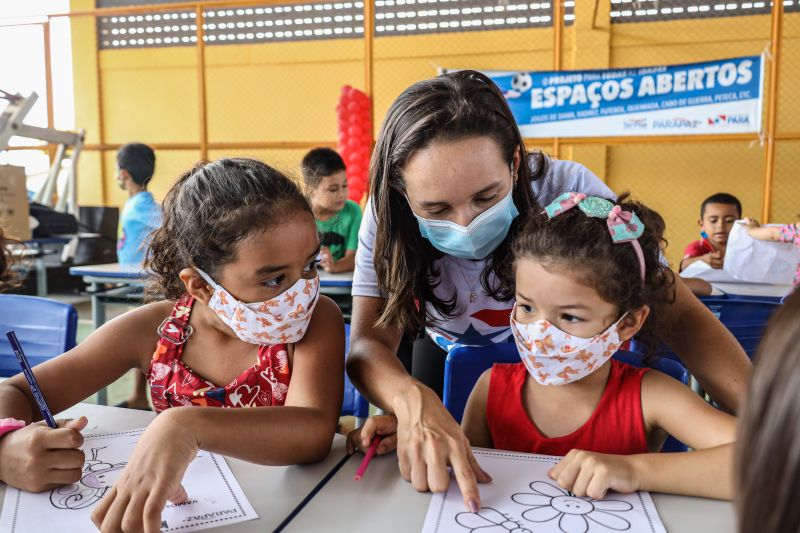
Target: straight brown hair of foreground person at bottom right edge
{"type": "Point", "coordinates": [767, 462]}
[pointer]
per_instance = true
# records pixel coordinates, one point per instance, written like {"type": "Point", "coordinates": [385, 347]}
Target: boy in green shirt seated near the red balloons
{"type": "Point", "coordinates": [338, 218]}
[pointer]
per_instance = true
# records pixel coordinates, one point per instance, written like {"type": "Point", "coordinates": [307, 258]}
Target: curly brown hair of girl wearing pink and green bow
{"type": "Point", "coordinates": [583, 244]}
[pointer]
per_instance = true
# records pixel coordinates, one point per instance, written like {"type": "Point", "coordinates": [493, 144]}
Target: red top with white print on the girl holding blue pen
{"type": "Point", "coordinates": [173, 383]}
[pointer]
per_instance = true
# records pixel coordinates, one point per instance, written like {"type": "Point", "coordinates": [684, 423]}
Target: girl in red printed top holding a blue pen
{"type": "Point", "coordinates": [242, 325]}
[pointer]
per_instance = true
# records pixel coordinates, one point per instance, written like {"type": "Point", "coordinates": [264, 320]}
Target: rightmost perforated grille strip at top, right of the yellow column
{"type": "Point", "coordinates": [623, 11]}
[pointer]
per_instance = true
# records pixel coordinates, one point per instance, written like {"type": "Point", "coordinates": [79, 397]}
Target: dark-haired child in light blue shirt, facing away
{"type": "Point", "coordinates": [141, 214]}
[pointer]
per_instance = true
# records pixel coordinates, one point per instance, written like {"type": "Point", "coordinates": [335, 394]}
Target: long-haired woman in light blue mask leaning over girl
{"type": "Point", "coordinates": [449, 177]}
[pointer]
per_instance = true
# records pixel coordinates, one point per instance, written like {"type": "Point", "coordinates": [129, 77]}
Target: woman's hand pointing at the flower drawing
{"type": "Point", "coordinates": [428, 440]}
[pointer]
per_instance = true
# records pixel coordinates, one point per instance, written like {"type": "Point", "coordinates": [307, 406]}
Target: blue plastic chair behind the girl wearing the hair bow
{"type": "Point", "coordinates": [465, 364]}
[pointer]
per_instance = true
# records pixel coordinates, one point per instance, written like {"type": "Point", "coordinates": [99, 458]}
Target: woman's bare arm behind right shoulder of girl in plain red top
{"type": "Point", "coordinates": [708, 349]}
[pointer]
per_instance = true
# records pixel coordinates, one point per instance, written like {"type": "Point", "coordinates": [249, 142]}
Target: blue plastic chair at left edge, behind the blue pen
{"type": "Point", "coordinates": [45, 328]}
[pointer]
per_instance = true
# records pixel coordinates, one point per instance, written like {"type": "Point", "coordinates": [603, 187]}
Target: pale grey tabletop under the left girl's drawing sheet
{"type": "Point", "coordinates": [274, 491]}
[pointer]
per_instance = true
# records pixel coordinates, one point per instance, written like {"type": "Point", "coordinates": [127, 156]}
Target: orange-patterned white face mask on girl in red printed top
{"type": "Point", "coordinates": [282, 319]}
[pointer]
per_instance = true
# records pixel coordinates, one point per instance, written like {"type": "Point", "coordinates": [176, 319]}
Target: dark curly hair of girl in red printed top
{"type": "Point", "coordinates": [208, 211]}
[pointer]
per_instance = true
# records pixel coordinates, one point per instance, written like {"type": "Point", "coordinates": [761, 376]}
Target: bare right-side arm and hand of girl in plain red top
{"type": "Point", "coordinates": [667, 404]}
